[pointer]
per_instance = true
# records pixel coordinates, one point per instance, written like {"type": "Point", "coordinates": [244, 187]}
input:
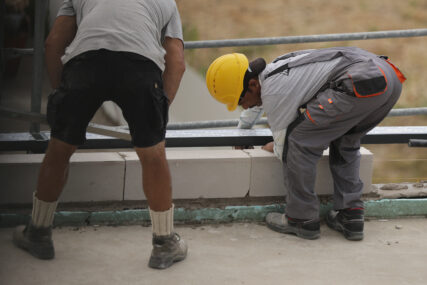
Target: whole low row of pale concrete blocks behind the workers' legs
{"type": "Point", "coordinates": [116, 176]}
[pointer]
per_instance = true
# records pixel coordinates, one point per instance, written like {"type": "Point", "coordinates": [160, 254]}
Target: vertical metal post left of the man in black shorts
{"type": "Point", "coordinates": [38, 59]}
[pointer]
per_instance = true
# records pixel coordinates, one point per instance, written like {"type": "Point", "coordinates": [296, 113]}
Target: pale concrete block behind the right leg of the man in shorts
{"type": "Point", "coordinates": [196, 174]}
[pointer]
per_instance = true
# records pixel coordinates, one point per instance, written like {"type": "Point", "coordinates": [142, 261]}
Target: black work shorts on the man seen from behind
{"type": "Point", "coordinates": [132, 81]}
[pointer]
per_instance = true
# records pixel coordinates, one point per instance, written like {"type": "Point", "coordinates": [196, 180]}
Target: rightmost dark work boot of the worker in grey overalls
{"type": "Point", "coordinates": [348, 221]}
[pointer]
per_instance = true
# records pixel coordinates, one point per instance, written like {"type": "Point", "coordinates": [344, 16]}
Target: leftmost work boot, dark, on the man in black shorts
{"type": "Point", "coordinates": [37, 241]}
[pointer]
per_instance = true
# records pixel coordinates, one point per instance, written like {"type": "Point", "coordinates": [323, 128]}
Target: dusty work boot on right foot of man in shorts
{"type": "Point", "coordinates": [167, 250]}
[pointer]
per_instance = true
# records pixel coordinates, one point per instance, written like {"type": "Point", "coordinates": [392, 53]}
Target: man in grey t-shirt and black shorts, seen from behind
{"type": "Point", "coordinates": [129, 52]}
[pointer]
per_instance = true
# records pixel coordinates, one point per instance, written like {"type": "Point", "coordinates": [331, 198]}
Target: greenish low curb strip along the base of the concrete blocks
{"type": "Point", "coordinates": [387, 208]}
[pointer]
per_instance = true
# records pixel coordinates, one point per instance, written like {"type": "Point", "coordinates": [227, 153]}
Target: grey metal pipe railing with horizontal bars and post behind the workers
{"type": "Point", "coordinates": [38, 60]}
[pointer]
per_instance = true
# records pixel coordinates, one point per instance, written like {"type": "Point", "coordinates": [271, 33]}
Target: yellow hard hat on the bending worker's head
{"type": "Point", "coordinates": [224, 78]}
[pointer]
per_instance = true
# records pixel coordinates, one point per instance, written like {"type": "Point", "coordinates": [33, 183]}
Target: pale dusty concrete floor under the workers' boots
{"type": "Point", "coordinates": [393, 252]}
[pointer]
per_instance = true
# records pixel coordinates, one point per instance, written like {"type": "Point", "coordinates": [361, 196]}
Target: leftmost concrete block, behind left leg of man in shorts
{"type": "Point", "coordinates": [93, 177]}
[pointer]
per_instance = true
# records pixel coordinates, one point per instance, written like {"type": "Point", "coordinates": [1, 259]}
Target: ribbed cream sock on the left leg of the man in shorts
{"type": "Point", "coordinates": [43, 212]}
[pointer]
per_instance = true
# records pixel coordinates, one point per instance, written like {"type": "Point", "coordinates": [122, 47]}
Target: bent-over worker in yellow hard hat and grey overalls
{"type": "Point", "coordinates": [313, 99]}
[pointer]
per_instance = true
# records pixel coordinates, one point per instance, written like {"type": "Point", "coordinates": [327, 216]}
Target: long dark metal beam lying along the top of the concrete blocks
{"type": "Point", "coordinates": [414, 136]}
